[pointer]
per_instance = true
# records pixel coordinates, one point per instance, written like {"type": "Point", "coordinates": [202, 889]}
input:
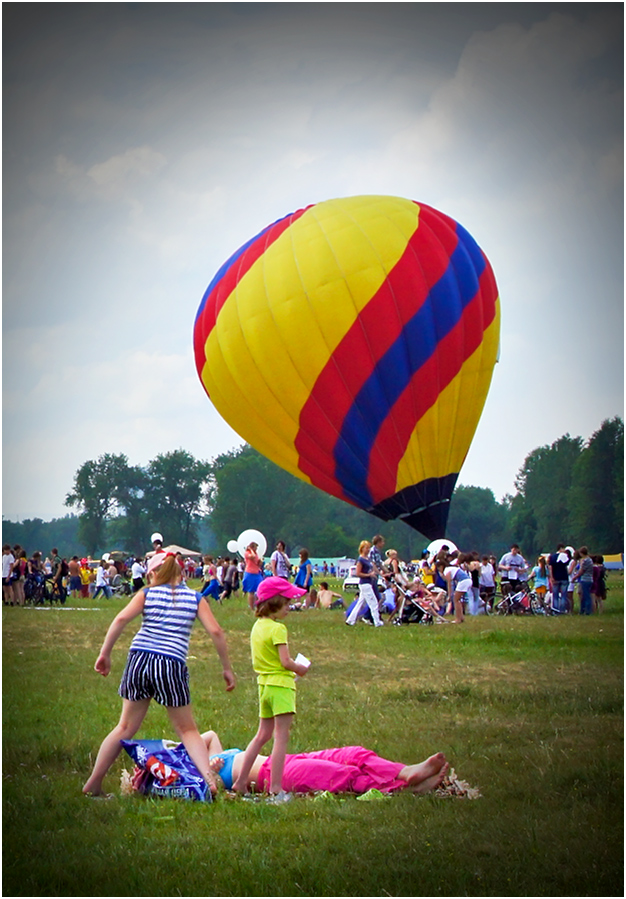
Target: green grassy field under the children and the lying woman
{"type": "Point", "coordinates": [530, 710]}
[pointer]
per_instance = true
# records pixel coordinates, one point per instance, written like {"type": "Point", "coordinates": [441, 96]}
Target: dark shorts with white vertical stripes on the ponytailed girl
{"type": "Point", "coordinates": [148, 675]}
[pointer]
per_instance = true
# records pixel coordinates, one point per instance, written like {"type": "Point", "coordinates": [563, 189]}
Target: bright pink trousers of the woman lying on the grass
{"type": "Point", "coordinates": [346, 769]}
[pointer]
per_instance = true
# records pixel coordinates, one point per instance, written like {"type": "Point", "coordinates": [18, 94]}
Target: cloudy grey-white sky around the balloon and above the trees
{"type": "Point", "coordinates": [144, 143]}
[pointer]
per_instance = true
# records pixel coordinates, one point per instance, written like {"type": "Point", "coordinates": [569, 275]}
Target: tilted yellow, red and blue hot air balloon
{"type": "Point", "coordinates": [353, 343]}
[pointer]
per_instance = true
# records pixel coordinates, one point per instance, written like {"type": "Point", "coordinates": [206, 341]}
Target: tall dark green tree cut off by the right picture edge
{"type": "Point", "coordinates": [596, 496]}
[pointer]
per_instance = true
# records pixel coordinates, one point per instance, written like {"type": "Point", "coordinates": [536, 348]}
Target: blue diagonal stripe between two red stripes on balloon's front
{"type": "Point", "coordinates": [435, 319]}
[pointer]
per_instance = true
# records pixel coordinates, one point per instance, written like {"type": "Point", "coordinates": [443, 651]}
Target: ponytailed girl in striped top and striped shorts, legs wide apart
{"type": "Point", "coordinates": [157, 665]}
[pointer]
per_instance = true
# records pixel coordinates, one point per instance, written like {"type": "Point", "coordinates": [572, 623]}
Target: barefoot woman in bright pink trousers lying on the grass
{"type": "Point", "coordinates": [345, 769]}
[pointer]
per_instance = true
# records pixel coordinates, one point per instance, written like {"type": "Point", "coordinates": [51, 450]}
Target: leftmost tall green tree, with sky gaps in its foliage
{"type": "Point", "coordinates": [95, 496]}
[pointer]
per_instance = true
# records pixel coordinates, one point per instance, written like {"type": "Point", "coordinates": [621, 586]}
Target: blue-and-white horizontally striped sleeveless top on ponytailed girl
{"type": "Point", "coordinates": [168, 617]}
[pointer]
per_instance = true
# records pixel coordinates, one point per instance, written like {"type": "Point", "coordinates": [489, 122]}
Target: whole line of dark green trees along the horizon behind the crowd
{"type": "Point", "coordinates": [571, 491]}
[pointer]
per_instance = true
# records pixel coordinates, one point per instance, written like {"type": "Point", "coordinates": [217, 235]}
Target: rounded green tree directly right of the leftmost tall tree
{"type": "Point", "coordinates": [175, 494]}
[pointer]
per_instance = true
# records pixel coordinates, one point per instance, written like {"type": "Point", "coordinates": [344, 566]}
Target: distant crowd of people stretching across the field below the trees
{"type": "Point", "coordinates": [451, 583]}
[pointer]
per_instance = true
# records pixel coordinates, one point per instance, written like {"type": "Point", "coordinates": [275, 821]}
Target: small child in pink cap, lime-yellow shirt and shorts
{"type": "Point", "coordinates": [276, 672]}
